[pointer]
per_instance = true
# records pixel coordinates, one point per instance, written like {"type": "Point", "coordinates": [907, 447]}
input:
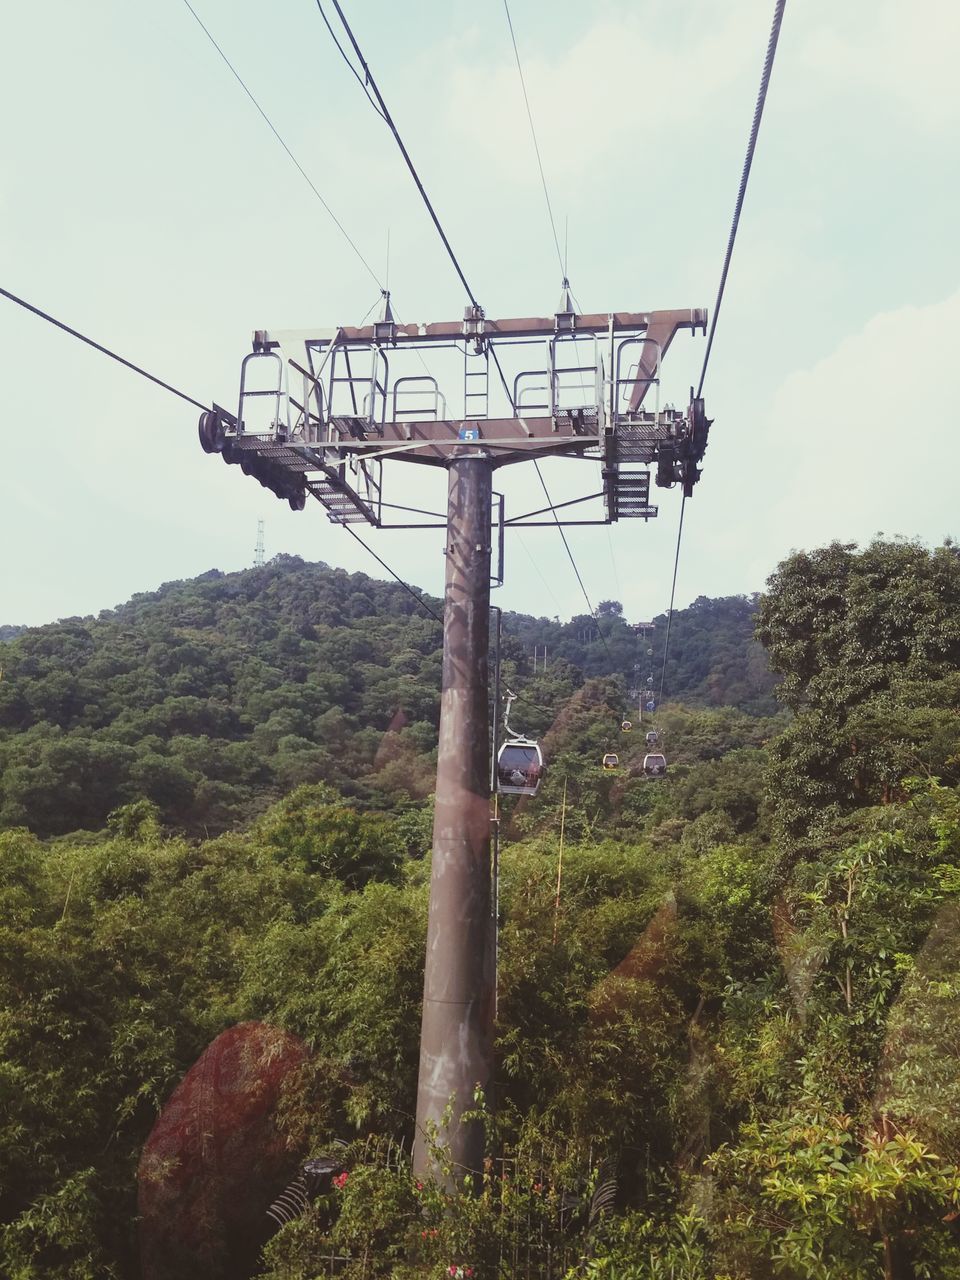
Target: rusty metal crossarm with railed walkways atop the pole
{"type": "Point", "coordinates": [323, 410]}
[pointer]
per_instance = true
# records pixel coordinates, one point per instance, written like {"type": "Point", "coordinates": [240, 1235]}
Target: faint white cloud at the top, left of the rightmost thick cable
{"type": "Point", "coordinates": [607, 102]}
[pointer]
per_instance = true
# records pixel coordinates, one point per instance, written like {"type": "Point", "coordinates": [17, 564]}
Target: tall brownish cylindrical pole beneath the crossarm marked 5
{"type": "Point", "coordinates": [456, 1040]}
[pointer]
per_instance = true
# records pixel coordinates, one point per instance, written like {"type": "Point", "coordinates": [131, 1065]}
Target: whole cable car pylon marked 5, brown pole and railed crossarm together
{"type": "Point", "coordinates": [326, 414]}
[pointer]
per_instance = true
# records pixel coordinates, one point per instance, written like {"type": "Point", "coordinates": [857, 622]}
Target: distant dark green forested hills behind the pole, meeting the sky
{"type": "Point", "coordinates": [214, 697]}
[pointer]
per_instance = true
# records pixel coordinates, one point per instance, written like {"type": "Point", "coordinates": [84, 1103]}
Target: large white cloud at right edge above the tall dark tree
{"type": "Point", "coordinates": [871, 433]}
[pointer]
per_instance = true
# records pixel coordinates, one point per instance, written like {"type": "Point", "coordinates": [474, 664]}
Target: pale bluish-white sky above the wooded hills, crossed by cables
{"type": "Point", "coordinates": [145, 203]}
